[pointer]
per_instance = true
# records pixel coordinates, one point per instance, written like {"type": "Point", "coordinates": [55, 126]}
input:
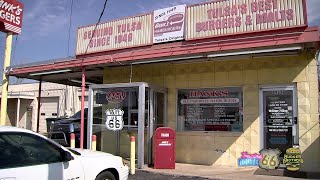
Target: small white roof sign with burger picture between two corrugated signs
{"type": "Point", "coordinates": [169, 24]}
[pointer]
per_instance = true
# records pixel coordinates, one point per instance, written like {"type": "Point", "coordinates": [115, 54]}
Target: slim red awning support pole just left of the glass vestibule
{"type": "Point", "coordinates": [82, 105]}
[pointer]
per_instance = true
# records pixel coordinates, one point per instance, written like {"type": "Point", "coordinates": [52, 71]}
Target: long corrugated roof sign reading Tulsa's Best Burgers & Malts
{"type": "Point", "coordinates": [233, 17]}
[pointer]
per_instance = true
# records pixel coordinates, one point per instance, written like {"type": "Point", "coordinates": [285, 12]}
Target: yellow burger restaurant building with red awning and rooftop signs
{"type": "Point", "coordinates": [229, 76]}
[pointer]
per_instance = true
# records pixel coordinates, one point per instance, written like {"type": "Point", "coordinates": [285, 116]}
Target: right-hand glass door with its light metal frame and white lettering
{"type": "Point", "coordinates": [279, 115]}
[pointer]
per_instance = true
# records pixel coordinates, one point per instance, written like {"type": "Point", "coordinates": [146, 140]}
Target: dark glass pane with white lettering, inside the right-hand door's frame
{"type": "Point", "coordinates": [278, 119]}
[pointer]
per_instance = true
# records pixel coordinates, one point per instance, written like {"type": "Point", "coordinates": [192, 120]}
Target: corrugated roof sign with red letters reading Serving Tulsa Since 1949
{"type": "Point", "coordinates": [118, 34]}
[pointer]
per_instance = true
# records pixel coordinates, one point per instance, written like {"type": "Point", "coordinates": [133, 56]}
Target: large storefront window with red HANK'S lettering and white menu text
{"type": "Point", "coordinates": [210, 109]}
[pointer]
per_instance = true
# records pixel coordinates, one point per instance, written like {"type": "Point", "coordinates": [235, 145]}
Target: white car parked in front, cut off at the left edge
{"type": "Point", "coordinates": [25, 155]}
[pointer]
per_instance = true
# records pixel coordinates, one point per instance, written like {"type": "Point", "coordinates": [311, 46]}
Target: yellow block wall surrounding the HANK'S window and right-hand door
{"type": "Point", "coordinates": [224, 148]}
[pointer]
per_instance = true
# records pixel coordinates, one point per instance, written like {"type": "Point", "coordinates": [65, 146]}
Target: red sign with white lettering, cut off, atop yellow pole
{"type": "Point", "coordinates": [11, 12]}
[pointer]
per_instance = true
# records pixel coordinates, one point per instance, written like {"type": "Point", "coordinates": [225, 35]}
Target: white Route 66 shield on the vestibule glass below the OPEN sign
{"type": "Point", "coordinates": [114, 119]}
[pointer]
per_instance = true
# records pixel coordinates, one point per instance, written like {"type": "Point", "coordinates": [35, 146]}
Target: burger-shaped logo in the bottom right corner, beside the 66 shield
{"type": "Point", "coordinates": [292, 159]}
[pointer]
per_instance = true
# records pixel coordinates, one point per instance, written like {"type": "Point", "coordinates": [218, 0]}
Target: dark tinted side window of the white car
{"type": "Point", "coordinates": [22, 149]}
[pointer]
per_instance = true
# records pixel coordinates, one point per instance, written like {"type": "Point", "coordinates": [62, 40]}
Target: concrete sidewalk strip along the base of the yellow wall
{"type": "Point", "coordinates": [216, 172]}
